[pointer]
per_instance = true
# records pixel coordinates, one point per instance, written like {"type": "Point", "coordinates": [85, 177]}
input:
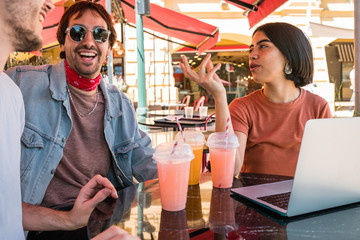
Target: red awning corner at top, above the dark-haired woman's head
{"type": "Point", "coordinates": [257, 11]}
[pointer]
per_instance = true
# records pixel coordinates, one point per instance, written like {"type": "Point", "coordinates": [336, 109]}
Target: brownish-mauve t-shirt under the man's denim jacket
{"type": "Point", "coordinates": [85, 154]}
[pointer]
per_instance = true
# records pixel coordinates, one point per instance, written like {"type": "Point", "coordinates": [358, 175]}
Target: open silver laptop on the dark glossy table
{"type": "Point", "coordinates": [327, 173]}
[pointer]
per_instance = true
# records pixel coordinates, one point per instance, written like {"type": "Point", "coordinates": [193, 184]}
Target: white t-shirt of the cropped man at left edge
{"type": "Point", "coordinates": [11, 126]}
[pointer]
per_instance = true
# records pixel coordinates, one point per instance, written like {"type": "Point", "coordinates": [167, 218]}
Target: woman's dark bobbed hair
{"type": "Point", "coordinates": [296, 48]}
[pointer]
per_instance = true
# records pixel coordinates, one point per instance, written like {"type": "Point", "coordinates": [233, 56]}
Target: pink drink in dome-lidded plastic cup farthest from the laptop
{"type": "Point", "coordinates": [173, 170]}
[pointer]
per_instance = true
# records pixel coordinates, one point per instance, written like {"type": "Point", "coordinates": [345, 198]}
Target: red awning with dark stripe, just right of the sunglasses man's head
{"type": "Point", "coordinates": [202, 35]}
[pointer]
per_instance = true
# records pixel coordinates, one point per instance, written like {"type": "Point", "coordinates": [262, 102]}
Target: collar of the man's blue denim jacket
{"type": "Point", "coordinates": [58, 90]}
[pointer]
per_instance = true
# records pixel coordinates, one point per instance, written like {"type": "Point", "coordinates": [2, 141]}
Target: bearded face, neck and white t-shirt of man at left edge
{"type": "Point", "coordinates": [16, 18]}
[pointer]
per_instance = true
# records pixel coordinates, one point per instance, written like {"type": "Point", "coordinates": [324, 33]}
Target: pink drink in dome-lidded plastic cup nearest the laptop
{"type": "Point", "coordinates": [222, 147]}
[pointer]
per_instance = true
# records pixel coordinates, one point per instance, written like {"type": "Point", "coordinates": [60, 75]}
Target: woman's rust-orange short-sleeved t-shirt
{"type": "Point", "coordinates": [274, 130]}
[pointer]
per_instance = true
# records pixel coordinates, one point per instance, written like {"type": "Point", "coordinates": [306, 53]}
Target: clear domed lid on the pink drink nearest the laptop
{"type": "Point", "coordinates": [220, 140]}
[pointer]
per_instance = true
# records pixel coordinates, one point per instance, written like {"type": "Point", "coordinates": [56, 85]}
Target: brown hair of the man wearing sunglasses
{"type": "Point", "coordinates": [79, 8]}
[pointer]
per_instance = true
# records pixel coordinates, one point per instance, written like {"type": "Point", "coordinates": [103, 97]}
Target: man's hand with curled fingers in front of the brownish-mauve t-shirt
{"type": "Point", "coordinates": [94, 192]}
